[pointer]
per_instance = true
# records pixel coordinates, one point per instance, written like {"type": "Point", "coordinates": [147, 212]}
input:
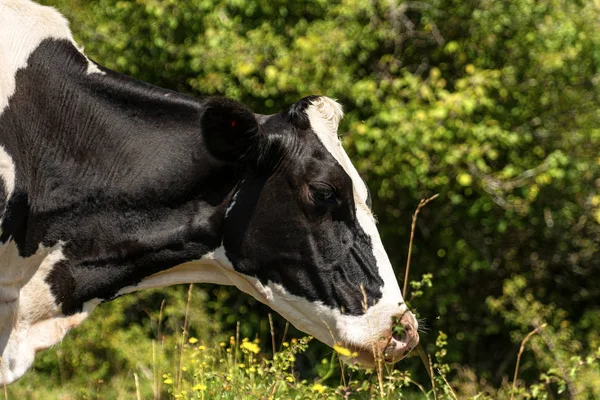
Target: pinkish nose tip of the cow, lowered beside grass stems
{"type": "Point", "coordinates": [405, 337]}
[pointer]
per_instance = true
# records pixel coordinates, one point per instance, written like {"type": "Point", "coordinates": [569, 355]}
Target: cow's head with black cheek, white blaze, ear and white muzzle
{"type": "Point", "coordinates": [299, 233]}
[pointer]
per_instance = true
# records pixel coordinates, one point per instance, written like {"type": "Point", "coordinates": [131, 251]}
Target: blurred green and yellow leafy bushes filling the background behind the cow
{"type": "Point", "coordinates": [495, 105]}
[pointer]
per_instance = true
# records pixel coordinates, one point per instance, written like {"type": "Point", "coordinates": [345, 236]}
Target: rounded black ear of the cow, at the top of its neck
{"type": "Point", "coordinates": [229, 129]}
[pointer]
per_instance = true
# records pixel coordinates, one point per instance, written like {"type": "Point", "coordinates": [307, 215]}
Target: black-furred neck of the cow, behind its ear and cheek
{"type": "Point", "coordinates": [122, 162]}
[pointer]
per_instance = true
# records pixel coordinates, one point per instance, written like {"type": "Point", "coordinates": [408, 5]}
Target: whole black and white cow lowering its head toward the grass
{"type": "Point", "coordinates": [109, 185]}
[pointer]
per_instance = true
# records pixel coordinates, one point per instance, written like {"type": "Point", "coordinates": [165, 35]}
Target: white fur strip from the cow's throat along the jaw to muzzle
{"type": "Point", "coordinates": [362, 334]}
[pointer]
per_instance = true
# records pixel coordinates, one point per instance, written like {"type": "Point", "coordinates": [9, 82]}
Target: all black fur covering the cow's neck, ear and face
{"type": "Point", "coordinates": [135, 179]}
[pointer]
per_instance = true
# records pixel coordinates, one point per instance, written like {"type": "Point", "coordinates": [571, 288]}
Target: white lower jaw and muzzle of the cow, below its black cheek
{"type": "Point", "coordinates": [368, 337]}
